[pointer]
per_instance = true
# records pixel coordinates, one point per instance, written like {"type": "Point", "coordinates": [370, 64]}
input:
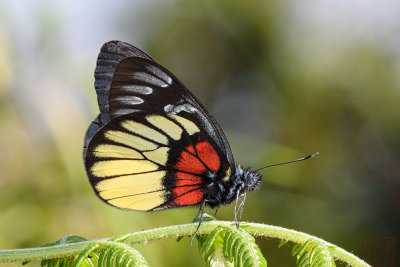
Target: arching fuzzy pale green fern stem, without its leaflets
{"type": "Point", "coordinates": [176, 231]}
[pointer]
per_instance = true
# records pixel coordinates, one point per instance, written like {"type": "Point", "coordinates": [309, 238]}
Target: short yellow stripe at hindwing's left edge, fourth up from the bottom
{"type": "Point", "coordinates": [113, 151]}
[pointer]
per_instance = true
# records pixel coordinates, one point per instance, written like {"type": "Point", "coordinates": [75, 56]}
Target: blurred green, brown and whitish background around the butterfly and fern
{"type": "Point", "coordinates": [284, 79]}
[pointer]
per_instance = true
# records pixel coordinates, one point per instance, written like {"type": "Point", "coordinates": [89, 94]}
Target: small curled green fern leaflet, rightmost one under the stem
{"type": "Point", "coordinates": [313, 253]}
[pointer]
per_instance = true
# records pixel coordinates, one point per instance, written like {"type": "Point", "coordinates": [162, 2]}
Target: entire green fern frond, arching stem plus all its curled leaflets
{"type": "Point", "coordinates": [220, 245]}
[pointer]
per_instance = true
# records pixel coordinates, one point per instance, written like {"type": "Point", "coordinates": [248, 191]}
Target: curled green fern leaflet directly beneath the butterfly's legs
{"type": "Point", "coordinates": [229, 246]}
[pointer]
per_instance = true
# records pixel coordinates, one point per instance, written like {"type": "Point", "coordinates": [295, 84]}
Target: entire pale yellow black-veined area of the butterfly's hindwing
{"type": "Point", "coordinates": [127, 163]}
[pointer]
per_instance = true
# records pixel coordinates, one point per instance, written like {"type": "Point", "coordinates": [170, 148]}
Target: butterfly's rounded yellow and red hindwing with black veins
{"type": "Point", "coordinates": [149, 161]}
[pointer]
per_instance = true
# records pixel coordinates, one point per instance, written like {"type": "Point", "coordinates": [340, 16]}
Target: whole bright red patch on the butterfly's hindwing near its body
{"type": "Point", "coordinates": [192, 164]}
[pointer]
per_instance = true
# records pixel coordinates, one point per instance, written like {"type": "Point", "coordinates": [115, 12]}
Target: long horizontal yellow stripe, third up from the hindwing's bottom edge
{"type": "Point", "coordinates": [109, 168]}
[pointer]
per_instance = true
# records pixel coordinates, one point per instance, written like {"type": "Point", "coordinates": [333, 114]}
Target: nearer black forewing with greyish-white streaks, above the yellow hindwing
{"type": "Point", "coordinates": [141, 84]}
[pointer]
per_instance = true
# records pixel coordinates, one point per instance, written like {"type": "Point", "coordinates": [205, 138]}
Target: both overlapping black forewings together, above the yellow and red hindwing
{"type": "Point", "coordinates": [127, 80]}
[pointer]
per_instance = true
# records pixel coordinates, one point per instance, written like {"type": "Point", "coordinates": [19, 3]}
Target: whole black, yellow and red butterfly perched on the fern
{"type": "Point", "coordinates": [154, 146]}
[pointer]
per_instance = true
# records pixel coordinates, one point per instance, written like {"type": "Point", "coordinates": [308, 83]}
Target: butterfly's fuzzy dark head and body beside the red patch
{"type": "Point", "coordinates": [225, 192]}
